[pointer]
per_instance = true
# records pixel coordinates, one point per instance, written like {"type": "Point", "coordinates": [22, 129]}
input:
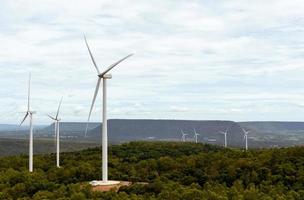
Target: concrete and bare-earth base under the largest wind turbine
{"type": "Point", "coordinates": [109, 185]}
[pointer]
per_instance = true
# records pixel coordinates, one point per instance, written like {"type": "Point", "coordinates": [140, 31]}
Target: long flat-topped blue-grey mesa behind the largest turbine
{"type": "Point", "coordinates": [136, 129]}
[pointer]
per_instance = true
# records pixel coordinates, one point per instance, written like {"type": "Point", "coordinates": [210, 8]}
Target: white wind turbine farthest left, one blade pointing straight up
{"type": "Point", "coordinates": [29, 113]}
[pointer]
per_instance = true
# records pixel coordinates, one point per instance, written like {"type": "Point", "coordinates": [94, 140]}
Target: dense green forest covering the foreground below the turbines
{"type": "Point", "coordinates": [174, 171]}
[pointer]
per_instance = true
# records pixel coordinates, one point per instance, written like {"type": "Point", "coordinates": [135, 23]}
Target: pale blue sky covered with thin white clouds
{"type": "Point", "coordinates": [238, 60]}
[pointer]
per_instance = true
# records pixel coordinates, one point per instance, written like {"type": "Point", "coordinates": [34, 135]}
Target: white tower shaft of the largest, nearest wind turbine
{"type": "Point", "coordinates": [104, 133]}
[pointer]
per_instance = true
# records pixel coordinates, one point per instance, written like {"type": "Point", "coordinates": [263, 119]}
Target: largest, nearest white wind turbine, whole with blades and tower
{"type": "Point", "coordinates": [104, 76]}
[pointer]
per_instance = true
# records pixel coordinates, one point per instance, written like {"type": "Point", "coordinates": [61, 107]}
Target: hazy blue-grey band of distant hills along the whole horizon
{"type": "Point", "coordinates": [262, 134]}
